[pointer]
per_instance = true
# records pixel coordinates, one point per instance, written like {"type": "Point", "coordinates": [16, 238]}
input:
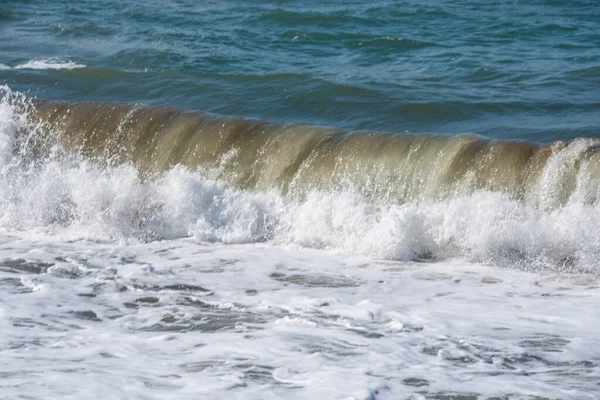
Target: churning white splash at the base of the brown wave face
{"type": "Point", "coordinates": [65, 194]}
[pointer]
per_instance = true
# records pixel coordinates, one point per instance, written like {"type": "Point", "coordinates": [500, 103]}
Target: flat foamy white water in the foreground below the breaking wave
{"type": "Point", "coordinates": [181, 319]}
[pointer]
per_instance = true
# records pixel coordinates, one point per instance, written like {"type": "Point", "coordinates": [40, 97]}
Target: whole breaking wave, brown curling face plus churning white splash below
{"type": "Point", "coordinates": [109, 171]}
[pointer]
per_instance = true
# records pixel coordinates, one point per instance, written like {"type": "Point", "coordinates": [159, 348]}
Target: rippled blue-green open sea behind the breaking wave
{"type": "Point", "coordinates": [501, 69]}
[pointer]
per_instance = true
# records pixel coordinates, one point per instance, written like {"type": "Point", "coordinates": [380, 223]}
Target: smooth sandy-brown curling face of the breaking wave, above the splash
{"type": "Point", "coordinates": [258, 155]}
